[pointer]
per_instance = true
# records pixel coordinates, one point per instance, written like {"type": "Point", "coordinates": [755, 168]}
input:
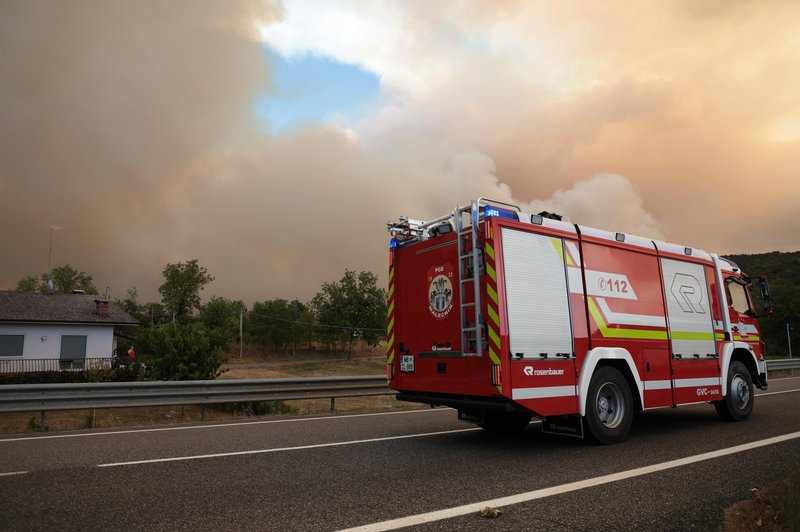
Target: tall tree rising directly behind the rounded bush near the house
{"type": "Point", "coordinates": [183, 282]}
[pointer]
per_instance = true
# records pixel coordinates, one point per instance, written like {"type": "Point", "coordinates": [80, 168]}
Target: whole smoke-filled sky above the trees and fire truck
{"type": "Point", "coordinates": [272, 141]}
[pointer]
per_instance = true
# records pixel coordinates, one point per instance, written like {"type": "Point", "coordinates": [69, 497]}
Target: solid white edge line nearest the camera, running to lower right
{"type": "Point", "coordinates": [475, 507]}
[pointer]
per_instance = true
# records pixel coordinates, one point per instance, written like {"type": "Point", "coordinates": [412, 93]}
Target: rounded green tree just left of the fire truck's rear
{"type": "Point", "coordinates": [351, 307]}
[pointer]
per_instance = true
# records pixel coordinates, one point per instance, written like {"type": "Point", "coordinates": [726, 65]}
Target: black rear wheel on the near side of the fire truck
{"type": "Point", "coordinates": [609, 406]}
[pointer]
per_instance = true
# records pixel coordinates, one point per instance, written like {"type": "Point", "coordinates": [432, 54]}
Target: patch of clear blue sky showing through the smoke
{"type": "Point", "coordinates": [312, 88]}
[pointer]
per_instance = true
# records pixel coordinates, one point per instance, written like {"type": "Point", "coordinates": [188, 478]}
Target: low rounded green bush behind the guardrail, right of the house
{"type": "Point", "coordinates": [182, 351]}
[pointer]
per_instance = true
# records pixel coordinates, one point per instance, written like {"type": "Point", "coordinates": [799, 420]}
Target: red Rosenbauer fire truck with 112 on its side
{"type": "Point", "coordinates": [504, 316]}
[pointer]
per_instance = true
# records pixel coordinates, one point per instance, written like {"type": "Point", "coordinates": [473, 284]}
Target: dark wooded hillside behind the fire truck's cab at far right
{"type": "Point", "coordinates": [783, 271]}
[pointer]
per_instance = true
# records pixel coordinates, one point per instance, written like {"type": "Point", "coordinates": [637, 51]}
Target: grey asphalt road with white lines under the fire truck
{"type": "Point", "coordinates": [677, 471]}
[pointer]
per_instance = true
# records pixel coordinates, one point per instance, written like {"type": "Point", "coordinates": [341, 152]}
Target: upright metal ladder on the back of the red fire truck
{"type": "Point", "coordinates": [470, 266]}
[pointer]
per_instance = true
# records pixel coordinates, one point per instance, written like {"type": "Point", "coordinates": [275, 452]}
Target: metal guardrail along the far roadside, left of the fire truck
{"type": "Point", "coordinates": [79, 396]}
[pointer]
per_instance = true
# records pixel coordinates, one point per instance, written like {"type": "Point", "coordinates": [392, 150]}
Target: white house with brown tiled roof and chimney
{"type": "Point", "coordinates": [56, 331]}
